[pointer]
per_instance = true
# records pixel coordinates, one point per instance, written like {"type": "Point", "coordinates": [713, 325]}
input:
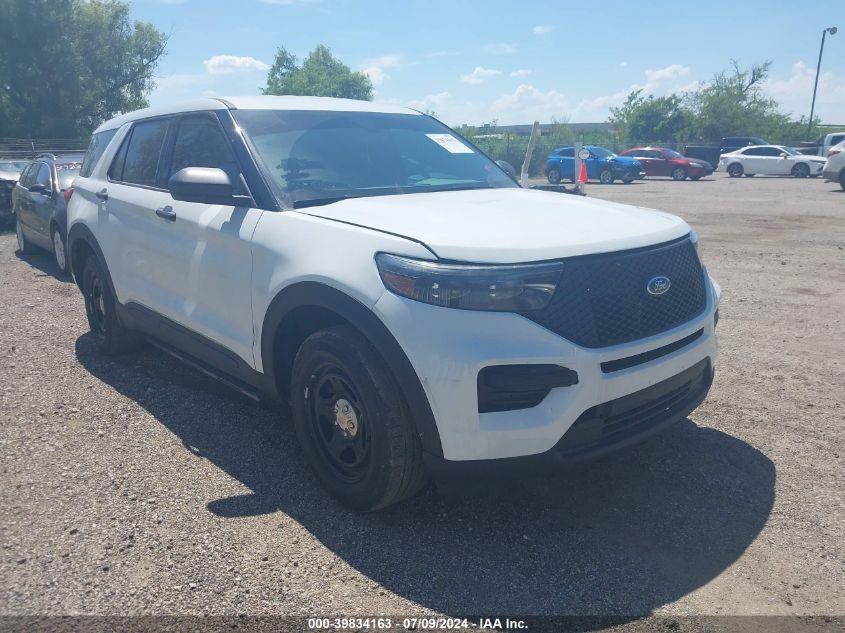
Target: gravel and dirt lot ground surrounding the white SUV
{"type": "Point", "coordinates": [135, 485]}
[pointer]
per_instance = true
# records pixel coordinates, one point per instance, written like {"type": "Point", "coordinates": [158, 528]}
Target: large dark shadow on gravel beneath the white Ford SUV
{"type": "Point", "coordinates": [622, 536]}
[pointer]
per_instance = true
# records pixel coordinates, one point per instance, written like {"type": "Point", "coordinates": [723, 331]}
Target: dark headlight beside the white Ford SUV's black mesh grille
{"type": "Point", "coordinates": [507, 288]}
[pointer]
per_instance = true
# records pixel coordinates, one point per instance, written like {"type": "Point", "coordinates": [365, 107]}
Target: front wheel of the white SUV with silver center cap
{"type": "Point", "coordinates": [352, 421]}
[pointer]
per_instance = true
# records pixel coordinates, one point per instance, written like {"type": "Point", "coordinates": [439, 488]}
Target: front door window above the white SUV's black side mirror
{"type": "Point", "coordinates": [200, 143]}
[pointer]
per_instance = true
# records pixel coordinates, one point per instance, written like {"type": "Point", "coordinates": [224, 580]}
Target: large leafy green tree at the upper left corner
{"type": "Point", "coordinates": [68, 65]}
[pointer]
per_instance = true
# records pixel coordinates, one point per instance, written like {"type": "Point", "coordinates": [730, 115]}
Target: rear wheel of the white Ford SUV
{"type": "Point", "coordinates": [109, 335]}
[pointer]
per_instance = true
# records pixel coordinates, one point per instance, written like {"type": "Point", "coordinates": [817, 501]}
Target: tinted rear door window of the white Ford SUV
{"type": "Point", "coordinates": [138, 158]}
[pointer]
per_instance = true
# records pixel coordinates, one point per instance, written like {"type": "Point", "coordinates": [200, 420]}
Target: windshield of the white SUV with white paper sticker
{"type": "Point", "coordinates": [317, 157]}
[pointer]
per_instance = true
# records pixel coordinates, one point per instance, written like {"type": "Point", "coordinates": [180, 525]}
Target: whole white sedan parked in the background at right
{"type": "Point", "coordinates": [770, 160]}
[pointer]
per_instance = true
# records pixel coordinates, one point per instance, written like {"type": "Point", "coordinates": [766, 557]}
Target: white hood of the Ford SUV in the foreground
{"type": "Point", "coordinates": [507, 225]}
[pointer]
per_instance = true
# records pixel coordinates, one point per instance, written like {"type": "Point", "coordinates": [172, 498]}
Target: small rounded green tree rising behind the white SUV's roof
{"type": "Point", "coordinates": [320, 75]}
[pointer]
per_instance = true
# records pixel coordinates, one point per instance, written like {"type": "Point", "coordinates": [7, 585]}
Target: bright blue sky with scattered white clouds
{"type": "Point", "coordinates": [472, 62]}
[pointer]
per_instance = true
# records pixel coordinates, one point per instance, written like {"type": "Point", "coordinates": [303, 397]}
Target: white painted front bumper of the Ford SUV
{"type": "Point", "coordinates": [448, 348]}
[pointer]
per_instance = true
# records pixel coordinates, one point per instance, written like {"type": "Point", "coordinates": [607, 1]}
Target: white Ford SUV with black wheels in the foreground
{"type": "Point", "coordinates": [422, 313]}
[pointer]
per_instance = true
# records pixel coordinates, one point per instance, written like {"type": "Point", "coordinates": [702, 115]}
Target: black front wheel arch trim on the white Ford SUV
{"type": "Point", "coordinates": [303, 308]}
